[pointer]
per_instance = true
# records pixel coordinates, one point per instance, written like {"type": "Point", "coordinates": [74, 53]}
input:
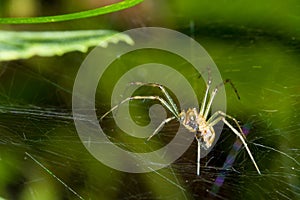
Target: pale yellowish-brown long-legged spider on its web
{"type": "Point", "coordinates": [196, 122]}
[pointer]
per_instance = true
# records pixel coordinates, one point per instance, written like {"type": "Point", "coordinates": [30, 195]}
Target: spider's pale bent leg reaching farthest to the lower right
{"type": "Point", "coordinates": [239, 134]}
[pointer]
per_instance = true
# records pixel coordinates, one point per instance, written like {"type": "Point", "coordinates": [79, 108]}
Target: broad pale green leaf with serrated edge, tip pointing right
{"type": "Point", "coordinates": [23, 45]}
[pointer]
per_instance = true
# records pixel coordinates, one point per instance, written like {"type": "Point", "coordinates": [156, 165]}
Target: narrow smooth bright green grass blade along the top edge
{"type": "Point", "coordinates": [71, 16]}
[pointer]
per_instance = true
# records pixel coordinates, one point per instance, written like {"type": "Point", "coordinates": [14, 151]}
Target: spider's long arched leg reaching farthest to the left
{"type": "Point", "coordinates": [162, 101]}
